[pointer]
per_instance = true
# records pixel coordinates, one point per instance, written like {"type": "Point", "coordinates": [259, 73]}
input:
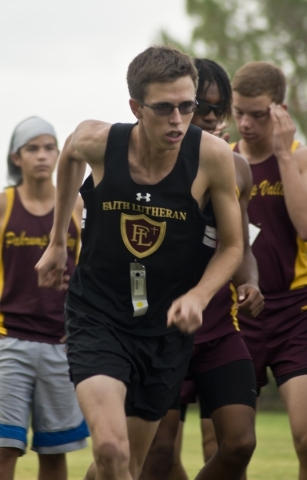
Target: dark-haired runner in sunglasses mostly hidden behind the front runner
{"type": "Point", "coordinates": [221, 371]}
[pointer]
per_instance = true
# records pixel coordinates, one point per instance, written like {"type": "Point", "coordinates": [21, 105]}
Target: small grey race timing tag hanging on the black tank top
{"type": "Point", "coordinates": [138, 289]}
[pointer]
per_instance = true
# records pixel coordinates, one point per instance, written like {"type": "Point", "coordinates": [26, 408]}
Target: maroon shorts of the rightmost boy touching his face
{"type": "Point", "coordinates": [277, 338]}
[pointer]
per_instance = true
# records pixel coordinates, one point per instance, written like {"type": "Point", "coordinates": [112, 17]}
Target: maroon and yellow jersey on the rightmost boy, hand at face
{"type": "Point", "coordinates": [280, 253]}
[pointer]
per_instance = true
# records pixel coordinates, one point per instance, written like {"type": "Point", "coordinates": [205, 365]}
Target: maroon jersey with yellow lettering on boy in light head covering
{"type": "Point", "coordinates": [26, 311]}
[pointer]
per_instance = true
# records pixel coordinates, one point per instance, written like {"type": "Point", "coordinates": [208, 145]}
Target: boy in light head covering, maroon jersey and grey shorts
{"type": "Point", "coordinates": [34, 379]}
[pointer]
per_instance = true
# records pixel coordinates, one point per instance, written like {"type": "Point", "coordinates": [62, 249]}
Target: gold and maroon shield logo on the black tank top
{"type": "Point", "coordinates": [141, 235]}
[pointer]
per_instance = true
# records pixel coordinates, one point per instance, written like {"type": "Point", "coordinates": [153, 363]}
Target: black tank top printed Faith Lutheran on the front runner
{"type": "Point", "coordinates": [159, 226]}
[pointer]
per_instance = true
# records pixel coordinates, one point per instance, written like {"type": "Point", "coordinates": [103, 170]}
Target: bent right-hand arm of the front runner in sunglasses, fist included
{"type": "Point", "coordinates": [186, 311]}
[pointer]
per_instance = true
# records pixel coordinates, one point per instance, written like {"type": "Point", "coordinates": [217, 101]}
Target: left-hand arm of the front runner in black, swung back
{"type": "Point", "coordinates": [85, 146]}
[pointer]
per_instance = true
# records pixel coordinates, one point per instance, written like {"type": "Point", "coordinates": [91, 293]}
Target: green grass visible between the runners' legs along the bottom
{"type": "Point", "coordinates": [274, 458]}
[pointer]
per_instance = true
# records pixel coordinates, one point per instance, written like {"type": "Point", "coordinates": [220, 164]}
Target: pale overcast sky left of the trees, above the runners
{"type": "Point", "coordinates": [66, 60]}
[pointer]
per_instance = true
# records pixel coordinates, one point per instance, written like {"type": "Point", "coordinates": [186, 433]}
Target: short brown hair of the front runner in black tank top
{"type": "Point", "coordinates": [158, 64]}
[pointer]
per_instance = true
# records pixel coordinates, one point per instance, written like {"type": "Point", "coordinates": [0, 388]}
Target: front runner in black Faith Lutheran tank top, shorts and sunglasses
{"type": "Point", "coordinates": [140, 287]}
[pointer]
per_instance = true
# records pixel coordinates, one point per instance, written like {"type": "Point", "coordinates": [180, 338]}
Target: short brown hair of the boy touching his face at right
{"type": "Point", "coordinates": [260, 78]}
